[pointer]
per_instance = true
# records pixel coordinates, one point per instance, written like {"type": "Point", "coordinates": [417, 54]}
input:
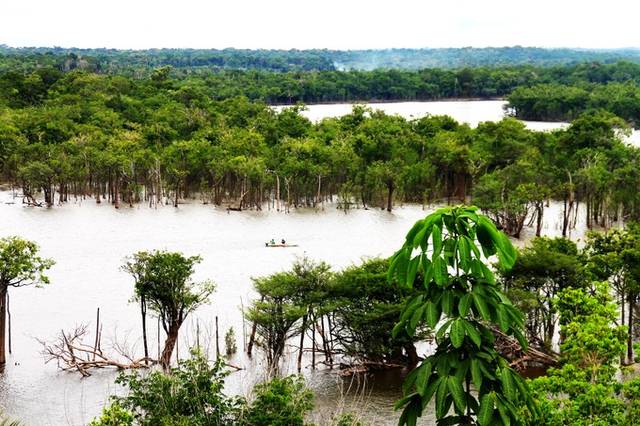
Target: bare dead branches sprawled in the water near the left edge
{"type": "Point", "coordinates": [72, 354]}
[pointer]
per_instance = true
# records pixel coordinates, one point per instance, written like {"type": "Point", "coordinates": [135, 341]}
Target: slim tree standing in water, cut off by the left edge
{"type": "Point", "coordinates": [20, 266]}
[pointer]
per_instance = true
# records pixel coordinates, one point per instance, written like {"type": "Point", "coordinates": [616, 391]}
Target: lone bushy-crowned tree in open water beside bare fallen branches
{"type": "Point", "coordinates": [165, 283]}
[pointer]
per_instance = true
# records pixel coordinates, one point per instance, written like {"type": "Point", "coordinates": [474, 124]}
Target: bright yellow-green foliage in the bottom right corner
{"type": "Point", "coordinates": [586, 388]}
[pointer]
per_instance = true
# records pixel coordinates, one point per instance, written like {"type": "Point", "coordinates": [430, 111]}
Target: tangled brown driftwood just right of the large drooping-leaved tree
{"type": "Point", "coordinates": [520, 359]}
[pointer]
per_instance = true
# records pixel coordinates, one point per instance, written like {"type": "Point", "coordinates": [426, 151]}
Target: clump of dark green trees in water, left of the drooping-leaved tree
{"type": "Point", "coordinates": [349, 314]}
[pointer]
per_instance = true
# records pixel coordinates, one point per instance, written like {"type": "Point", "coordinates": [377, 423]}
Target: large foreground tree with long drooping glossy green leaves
{"type": "Point", "coordinates": [459, 297]}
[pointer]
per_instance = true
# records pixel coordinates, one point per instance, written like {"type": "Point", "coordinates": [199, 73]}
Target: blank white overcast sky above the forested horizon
{"type": "Point", "coordinates": [333, 24]}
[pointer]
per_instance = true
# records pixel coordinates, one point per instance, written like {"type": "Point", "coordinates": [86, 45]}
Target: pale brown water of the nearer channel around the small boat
{"type": "Point", "coordinates": [89, 243]}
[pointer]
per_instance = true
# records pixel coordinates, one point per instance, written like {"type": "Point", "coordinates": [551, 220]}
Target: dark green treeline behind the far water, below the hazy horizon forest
{"type": "Point", "coordinates": [20, 87]}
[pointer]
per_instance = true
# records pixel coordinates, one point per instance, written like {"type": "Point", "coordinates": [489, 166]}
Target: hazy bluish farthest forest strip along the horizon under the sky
{"type": "Point", "coordinates": [133, 62]}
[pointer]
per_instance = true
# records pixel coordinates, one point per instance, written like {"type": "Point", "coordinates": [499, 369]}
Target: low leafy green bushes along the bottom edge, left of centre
{"type": "Point", "coordinates": [192, 394]}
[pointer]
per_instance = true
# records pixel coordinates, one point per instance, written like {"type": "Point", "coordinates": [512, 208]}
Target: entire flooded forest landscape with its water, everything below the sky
{"type": "Point", "coordinates": [222, 237]}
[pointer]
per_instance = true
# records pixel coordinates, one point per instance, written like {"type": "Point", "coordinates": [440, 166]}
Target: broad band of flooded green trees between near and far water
{"type": "Point", "coordinates": [158, 140]}
